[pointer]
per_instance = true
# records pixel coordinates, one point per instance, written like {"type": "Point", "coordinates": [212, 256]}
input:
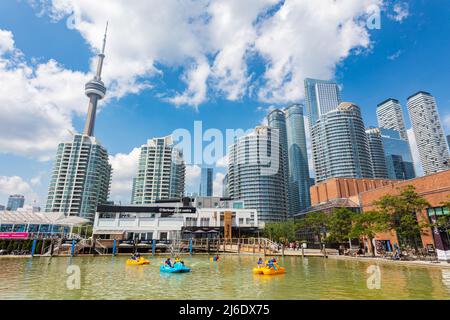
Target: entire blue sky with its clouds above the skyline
{"type": "Point", "coordinates": [162, 79]}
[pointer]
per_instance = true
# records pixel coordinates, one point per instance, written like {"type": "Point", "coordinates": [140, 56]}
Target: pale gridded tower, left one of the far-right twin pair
{"type": "Point", "coordinates": [390, 116]}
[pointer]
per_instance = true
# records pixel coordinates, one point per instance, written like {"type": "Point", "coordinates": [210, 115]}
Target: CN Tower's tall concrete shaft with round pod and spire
{"type": "Point", "coordinates": [95, 90]}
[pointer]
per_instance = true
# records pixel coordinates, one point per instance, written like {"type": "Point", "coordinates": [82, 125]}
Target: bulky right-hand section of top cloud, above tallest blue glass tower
{"type": "Point", "coordinates": [308, 39]}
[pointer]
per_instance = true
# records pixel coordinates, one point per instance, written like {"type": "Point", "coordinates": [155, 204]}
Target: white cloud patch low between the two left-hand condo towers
{"type": "Point", "coordinates": [124, 170]}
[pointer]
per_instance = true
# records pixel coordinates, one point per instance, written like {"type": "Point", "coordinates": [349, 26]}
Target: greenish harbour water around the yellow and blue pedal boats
{"type": "Point", "coordinates": [231, 278]}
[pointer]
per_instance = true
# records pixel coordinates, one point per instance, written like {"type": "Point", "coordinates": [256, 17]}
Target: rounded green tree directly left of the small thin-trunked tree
{"type": "Point", "coordinates": [339, 225]}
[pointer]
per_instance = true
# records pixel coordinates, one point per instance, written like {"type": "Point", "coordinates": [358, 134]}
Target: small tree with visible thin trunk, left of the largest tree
{"type": "Point", "coordinates": [368, 224]}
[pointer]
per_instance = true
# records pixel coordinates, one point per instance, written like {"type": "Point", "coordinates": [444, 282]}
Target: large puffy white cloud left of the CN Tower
{"type": "Point", "coordinates": [36, 102]}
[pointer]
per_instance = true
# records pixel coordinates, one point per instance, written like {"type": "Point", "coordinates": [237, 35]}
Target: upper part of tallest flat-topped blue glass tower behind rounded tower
{"type": "Point", "coordinates": [321, 96]}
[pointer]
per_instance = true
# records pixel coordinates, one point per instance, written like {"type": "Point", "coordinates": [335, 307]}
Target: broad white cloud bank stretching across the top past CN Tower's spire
{"type": "Point", "coordinates": [213, 42]}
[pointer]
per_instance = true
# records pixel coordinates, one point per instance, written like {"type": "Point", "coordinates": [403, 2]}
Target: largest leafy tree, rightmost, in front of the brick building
{"type": "Point", "coordinates": [402, 210]}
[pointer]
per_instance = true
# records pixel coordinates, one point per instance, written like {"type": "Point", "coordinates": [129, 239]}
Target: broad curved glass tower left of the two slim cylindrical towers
{"type": "Point", "coordinates": [256, 174]}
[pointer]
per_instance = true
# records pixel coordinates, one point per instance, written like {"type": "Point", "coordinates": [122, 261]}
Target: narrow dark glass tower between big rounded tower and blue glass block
{"type": "Point", "coordinates": [377, 155]}
